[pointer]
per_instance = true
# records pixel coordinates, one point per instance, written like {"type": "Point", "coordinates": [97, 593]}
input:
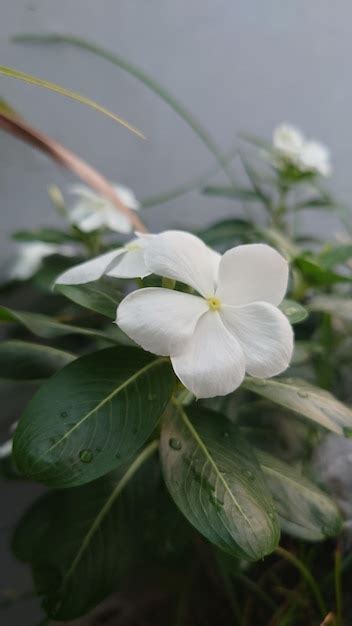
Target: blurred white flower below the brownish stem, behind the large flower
{"type": "Point", "coordinates": [94, 211]}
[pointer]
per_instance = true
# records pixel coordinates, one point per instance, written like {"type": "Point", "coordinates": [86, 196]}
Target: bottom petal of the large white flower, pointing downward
{"type": "Point", "coordinates": [212, 363]}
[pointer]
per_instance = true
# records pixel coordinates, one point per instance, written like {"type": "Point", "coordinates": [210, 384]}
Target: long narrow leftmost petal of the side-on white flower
{"type": "Point", "coordinates": [90, 270]}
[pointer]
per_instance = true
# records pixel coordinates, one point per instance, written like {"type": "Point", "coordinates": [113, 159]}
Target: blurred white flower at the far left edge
{"type": "Point", "coordinates": [29, 256]}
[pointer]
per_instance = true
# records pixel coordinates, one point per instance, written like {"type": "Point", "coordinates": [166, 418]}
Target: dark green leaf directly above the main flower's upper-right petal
{"type": "Point", "coordinates": [227, 233]}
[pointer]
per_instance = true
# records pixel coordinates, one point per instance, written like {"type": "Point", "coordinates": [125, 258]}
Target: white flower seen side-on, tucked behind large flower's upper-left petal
{"type": "Point", "coordinates": [125, 262]}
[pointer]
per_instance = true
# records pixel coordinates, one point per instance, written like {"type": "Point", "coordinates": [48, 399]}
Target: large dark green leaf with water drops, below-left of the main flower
{"type": "Point", "coordinates": [92, 416]}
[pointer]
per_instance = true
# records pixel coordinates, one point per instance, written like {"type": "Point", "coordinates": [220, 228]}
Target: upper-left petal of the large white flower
{"type": "Point", "coordinates": [184, 257]}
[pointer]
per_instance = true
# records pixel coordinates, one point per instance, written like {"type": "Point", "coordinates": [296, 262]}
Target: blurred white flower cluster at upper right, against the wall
{"type": "Point", "coordinates": [291, 147]}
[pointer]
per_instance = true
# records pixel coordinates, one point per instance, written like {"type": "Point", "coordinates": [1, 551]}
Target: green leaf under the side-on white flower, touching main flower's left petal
{"type": "Point", "coordinates": [101, 296]}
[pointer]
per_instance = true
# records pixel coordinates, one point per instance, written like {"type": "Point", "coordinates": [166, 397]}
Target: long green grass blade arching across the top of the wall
{"type": "Point", "coordinates": [148, 81]}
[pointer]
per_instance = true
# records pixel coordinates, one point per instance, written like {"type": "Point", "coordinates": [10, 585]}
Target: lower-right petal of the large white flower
{"type": "Point", "coordinates": [265, 335]}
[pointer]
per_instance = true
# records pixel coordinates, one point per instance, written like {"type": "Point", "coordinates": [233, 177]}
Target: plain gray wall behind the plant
{"type": "Point", "coordinates": [244, 65]}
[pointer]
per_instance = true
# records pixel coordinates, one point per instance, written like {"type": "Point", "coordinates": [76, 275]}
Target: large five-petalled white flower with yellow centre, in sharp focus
{"type": "Point", "coordinates": [231, 327]}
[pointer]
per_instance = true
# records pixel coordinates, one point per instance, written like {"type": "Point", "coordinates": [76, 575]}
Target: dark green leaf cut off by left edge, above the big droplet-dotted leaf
{"type": "Point", "coordinates": [20, 360]}
